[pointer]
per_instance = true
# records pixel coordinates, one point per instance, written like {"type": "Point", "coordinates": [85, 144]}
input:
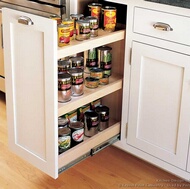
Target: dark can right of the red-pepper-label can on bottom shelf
{"type": "Point", "coordinates": [91, 123]}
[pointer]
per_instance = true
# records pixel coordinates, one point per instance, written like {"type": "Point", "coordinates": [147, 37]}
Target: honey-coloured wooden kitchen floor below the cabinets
{"type": "Point", "coordinates": [109, 169]}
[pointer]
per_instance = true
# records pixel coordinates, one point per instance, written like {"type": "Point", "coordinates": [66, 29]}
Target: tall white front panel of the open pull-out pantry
{"type": "Point", "coordinates": [31, 86]}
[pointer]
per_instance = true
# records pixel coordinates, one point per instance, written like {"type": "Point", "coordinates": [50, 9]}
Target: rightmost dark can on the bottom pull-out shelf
{"type": "Point", "coordinates": [103, 114]}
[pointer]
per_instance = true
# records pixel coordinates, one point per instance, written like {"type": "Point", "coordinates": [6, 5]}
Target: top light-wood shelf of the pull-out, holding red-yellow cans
{"type": "Point", "coordinates": [80, 46]}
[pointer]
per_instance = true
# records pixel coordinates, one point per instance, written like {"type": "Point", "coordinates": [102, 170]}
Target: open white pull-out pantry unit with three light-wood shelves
{"type": "Point", "coordinates": [31, 55]}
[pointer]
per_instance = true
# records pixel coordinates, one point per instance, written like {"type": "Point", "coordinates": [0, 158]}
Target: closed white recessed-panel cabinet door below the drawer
{"type": "Point", "coordinates": [159, 109]}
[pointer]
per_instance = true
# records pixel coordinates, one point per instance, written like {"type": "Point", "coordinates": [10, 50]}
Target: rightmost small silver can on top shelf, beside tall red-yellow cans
{"type": "Point", "coordinates": [93, 25]}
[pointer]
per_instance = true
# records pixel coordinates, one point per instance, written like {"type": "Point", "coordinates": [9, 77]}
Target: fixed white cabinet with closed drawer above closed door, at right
{"type": "Point", "coordinates": [158, 124]}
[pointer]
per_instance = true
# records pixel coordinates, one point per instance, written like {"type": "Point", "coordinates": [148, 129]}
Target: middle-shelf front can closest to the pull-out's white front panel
{"type": "Point", "coordinates": [64, 87]}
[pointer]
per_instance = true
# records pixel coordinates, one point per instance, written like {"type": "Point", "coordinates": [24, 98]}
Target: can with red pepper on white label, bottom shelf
{"type": "Point", "coordinates": [77, 132]}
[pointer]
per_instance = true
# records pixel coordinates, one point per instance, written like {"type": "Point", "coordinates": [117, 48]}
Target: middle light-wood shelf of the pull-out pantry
{"type": "Point", "coordinates": [115, 83]}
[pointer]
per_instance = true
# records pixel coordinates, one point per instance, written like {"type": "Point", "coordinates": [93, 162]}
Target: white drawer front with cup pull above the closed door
{"type": "Point", "coordinates": [144, 19]}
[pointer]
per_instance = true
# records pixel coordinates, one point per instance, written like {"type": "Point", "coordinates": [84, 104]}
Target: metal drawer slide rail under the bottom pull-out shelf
{"type": "Point", "coordinates": [92, 152]}
